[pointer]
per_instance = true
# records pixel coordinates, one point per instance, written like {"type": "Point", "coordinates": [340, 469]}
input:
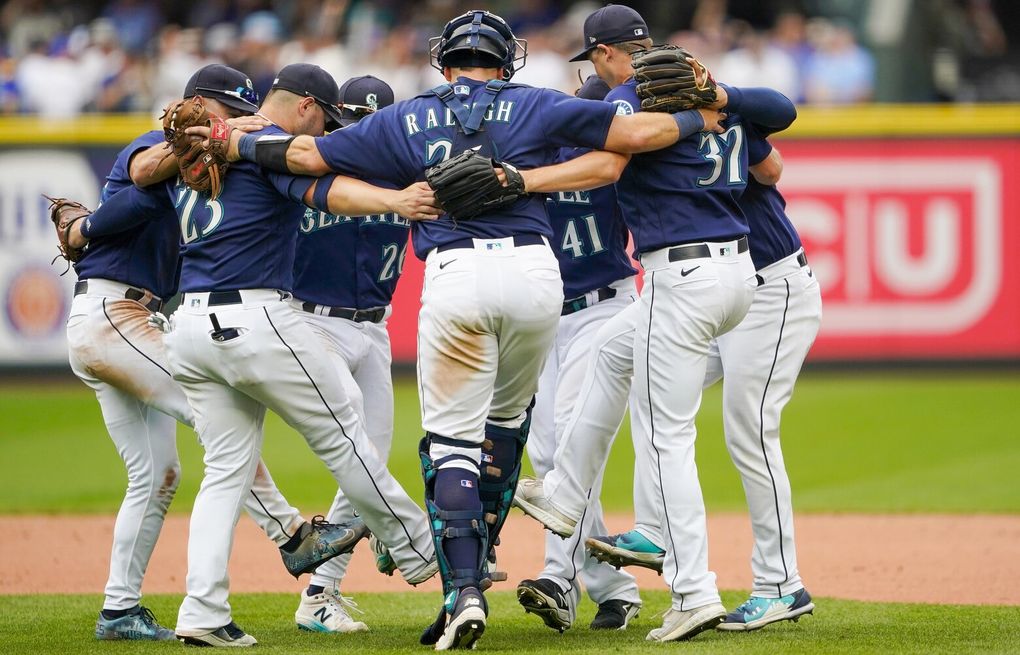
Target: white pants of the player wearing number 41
{"type": "Point", "coordinates": [559, 388]}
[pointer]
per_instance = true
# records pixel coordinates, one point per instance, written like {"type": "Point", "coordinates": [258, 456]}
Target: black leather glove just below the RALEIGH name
{"type": "Point", "coordinates": [467, 186]}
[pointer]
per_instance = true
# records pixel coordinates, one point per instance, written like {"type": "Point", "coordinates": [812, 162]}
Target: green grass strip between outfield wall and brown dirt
{"type": "Point", "coordinates": [853, 443]}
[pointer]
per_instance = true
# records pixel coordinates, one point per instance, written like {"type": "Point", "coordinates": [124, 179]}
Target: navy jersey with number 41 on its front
{"type": "Point", "coordinates": [590, 238]}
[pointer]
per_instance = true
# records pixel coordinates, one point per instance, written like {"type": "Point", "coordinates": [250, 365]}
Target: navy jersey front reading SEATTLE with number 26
{"type": "Point", "coordinates": [350, 262]}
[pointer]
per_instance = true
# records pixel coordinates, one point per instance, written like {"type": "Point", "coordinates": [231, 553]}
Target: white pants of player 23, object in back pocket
{"type": "Point", "coordinates": [276, 363]}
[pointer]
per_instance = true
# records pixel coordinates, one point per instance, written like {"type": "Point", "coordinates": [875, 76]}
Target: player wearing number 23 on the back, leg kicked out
{"type": "Point", "coordinates": [238, 347]}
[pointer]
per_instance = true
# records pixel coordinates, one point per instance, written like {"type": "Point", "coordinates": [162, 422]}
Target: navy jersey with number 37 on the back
{"type": "Point", "coordinates": [687, 192]}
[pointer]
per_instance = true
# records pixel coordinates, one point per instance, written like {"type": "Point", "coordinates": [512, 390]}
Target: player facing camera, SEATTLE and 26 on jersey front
{"type": "Point", "coordinates": [345, 299]}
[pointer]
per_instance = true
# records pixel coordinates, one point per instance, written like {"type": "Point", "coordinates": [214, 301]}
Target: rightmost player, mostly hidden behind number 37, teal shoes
{"type": "Point", "coordinates": [759, 362]}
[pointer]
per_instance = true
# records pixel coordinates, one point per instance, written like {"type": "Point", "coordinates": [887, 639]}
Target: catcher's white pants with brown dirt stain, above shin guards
{"type": "Point", "coordinates": [488, 320]}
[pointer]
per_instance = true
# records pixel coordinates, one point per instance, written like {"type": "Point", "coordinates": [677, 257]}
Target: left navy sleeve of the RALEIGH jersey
{"type": "Point", "coordinates": [365, 149]}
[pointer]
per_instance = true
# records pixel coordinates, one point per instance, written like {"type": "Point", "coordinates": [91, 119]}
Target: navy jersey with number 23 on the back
{"type": "Point", "coordinates": [246, 238]}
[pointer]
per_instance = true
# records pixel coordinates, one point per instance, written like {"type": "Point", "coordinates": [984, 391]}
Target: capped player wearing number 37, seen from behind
{"type": "Point", "coordinates": [682, 207]}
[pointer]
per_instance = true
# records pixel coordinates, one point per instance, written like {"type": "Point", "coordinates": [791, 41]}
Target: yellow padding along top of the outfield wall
{"type": "Point", "coordinates": [812, 123]}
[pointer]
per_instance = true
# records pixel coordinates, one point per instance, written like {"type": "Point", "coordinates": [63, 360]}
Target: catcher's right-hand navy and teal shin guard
{"type": "Point", "coordinates": [501, 458]}
